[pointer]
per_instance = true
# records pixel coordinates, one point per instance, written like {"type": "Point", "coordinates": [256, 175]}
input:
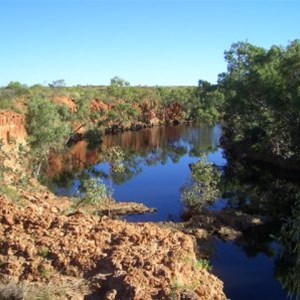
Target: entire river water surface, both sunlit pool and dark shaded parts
{"type": "Point", "coordinates": [264, 263]}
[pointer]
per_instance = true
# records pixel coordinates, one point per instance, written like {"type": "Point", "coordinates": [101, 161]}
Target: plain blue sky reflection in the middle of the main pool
{"type": "Point", "coordinates": [160, 186]}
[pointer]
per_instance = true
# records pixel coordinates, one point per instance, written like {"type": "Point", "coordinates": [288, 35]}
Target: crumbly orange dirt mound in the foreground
{"type": "Point", "coordinates": [116, 260]}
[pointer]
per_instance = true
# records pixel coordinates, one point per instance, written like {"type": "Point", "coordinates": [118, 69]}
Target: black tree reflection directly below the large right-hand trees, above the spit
{"type": "Point", "coordinates": [258, 190]}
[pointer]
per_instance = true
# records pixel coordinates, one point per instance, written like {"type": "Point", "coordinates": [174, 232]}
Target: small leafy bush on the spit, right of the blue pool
{"type": "Point", "coordinates": [205, 185]}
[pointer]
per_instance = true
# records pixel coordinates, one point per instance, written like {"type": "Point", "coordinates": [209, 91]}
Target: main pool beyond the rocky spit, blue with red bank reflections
{"type": "Point", "coordinates": [156, 166]}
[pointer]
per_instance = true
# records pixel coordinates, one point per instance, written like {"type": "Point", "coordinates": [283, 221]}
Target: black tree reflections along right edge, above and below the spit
{"type": "Point", "coordinates": [256, 190]}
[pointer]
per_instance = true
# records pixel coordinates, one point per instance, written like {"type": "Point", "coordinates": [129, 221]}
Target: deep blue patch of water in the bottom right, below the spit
{"type": "Point", "coordinates": [246, 277]}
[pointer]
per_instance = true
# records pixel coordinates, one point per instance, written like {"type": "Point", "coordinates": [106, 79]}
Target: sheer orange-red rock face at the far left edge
{"type": "Point", "coordinates": [12, 126]}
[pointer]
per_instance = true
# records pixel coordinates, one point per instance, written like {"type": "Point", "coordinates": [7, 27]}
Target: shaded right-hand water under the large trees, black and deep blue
{"type": "Point", "coordinates": [257, 258]}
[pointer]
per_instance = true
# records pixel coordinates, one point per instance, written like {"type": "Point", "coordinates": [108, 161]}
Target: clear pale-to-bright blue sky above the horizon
{"type": "Point", "coordinates": [145, 42]}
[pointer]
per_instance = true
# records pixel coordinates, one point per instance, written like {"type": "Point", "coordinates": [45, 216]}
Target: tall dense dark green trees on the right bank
{"type": "Point", "coordinates": [262, 110]}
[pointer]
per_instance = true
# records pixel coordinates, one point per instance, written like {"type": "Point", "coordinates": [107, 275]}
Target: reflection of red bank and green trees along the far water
{"type": "Point", "coordinates": [148, 147]}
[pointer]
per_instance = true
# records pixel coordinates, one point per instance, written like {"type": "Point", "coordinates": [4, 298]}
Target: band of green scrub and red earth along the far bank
{"type": "Point", "coordinates": [128, 105]}
